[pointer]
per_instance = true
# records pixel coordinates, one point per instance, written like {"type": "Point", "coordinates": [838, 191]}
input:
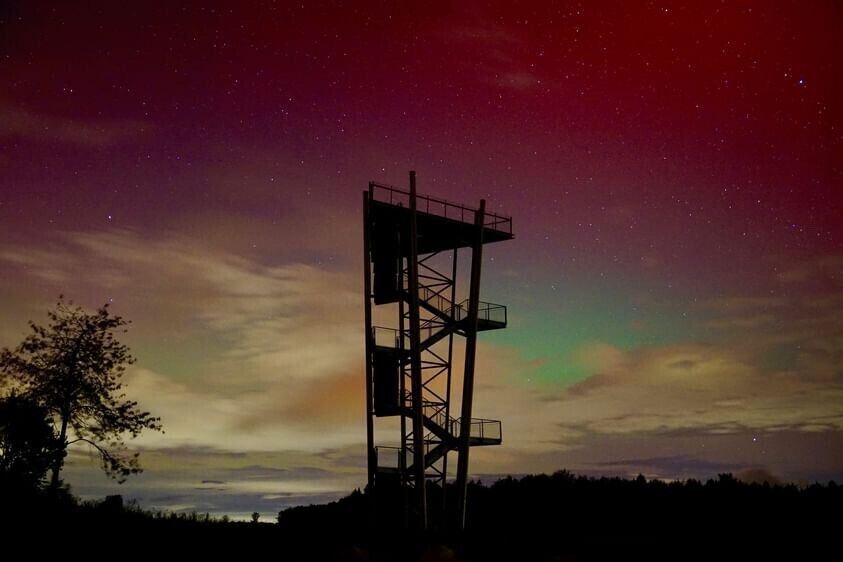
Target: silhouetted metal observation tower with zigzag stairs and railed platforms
{"type": "Point", "coordinates": [409, 365]}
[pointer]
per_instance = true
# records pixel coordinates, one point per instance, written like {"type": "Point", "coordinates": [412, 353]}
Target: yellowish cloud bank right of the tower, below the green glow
{"type": "Point", "coordinates": [703, 389]}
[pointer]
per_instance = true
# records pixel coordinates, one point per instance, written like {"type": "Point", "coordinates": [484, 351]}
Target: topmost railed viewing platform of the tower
{"type": "Point", "coordinates": [441, 225]}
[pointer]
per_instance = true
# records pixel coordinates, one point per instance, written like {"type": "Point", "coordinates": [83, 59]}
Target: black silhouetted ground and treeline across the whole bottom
{"type": "Point", "coordinates": [542, 518]}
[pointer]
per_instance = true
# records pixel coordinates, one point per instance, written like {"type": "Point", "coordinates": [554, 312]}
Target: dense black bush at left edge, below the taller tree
{"type": "Point", "coordinates": [27, 443]}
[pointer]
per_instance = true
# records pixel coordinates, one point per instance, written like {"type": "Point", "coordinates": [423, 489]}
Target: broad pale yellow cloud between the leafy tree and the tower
{"type": "Point", "coordinates": [262, 338]}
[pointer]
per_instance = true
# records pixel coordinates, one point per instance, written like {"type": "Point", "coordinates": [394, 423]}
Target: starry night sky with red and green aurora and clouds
{"type": "Point", "coordinates": [673, 171]}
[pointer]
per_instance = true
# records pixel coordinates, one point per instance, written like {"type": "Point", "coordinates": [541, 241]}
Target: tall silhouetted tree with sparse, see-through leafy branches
{"type": "Point", "coordinates": [73, 368]}
